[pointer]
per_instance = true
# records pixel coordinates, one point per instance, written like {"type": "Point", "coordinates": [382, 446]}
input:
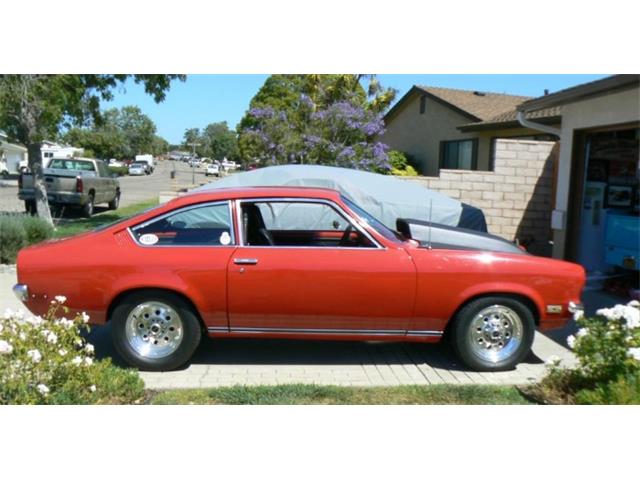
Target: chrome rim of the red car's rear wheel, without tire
{"type": "Point", "coordinates": [154, 329]}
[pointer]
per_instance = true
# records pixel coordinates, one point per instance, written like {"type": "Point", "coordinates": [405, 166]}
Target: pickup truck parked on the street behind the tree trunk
{"type": "Point", "coordinates": [74, 182]}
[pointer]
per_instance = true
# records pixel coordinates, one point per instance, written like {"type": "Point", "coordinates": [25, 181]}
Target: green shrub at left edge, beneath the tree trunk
{"type": "Point", "coordinates": [18, 231]}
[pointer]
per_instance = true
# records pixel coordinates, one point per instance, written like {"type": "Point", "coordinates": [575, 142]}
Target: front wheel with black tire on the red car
{"type": "Point", "coordinates": [473, 339]}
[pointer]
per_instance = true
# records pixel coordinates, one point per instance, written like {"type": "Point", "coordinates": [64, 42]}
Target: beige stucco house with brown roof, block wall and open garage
{"type": "Point", "coordinates": [560, 172]}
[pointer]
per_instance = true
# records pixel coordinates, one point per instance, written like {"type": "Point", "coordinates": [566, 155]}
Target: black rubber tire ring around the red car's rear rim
{"type": "Point", "coordinates": [190, 338]}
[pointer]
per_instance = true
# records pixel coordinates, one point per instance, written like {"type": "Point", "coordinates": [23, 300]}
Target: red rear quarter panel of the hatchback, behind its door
{"type": "Point", "coordinates": [91, 270]}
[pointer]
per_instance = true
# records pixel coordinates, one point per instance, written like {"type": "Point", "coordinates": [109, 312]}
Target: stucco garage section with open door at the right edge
{"type": "Point", "coordinates": [595, 215]}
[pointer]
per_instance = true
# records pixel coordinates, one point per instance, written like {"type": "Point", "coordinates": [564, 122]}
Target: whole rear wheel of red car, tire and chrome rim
{"type": "Point", "coordinates": [155, 330]}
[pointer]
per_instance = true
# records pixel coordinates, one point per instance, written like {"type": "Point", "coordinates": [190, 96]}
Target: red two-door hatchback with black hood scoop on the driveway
{"type": "Point", "coordinates": [300, 263]}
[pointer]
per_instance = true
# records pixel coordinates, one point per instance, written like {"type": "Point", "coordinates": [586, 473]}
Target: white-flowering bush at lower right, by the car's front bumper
{"type": "Point", "coordinates": [607, 347]}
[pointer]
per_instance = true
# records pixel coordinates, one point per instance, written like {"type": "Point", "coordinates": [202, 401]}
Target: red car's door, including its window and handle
{"type": "Point", "coordinates": [312, 269]}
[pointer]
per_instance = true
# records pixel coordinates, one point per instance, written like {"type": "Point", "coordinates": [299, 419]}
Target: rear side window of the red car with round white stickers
{"type": "Point", "coordinates": [206, 225]}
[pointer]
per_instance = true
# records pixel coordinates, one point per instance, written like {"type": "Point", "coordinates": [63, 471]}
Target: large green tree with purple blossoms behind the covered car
{"type": "Point", "coordinates": [329, 121]}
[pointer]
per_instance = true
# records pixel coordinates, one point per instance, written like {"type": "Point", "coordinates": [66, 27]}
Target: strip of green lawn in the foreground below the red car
{"type": "Point", "coordinates": [301, 394]}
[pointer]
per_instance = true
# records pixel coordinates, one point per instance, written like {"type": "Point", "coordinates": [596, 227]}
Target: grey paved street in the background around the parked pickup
{"type": "Point", "coordinates": [134, 189]}
